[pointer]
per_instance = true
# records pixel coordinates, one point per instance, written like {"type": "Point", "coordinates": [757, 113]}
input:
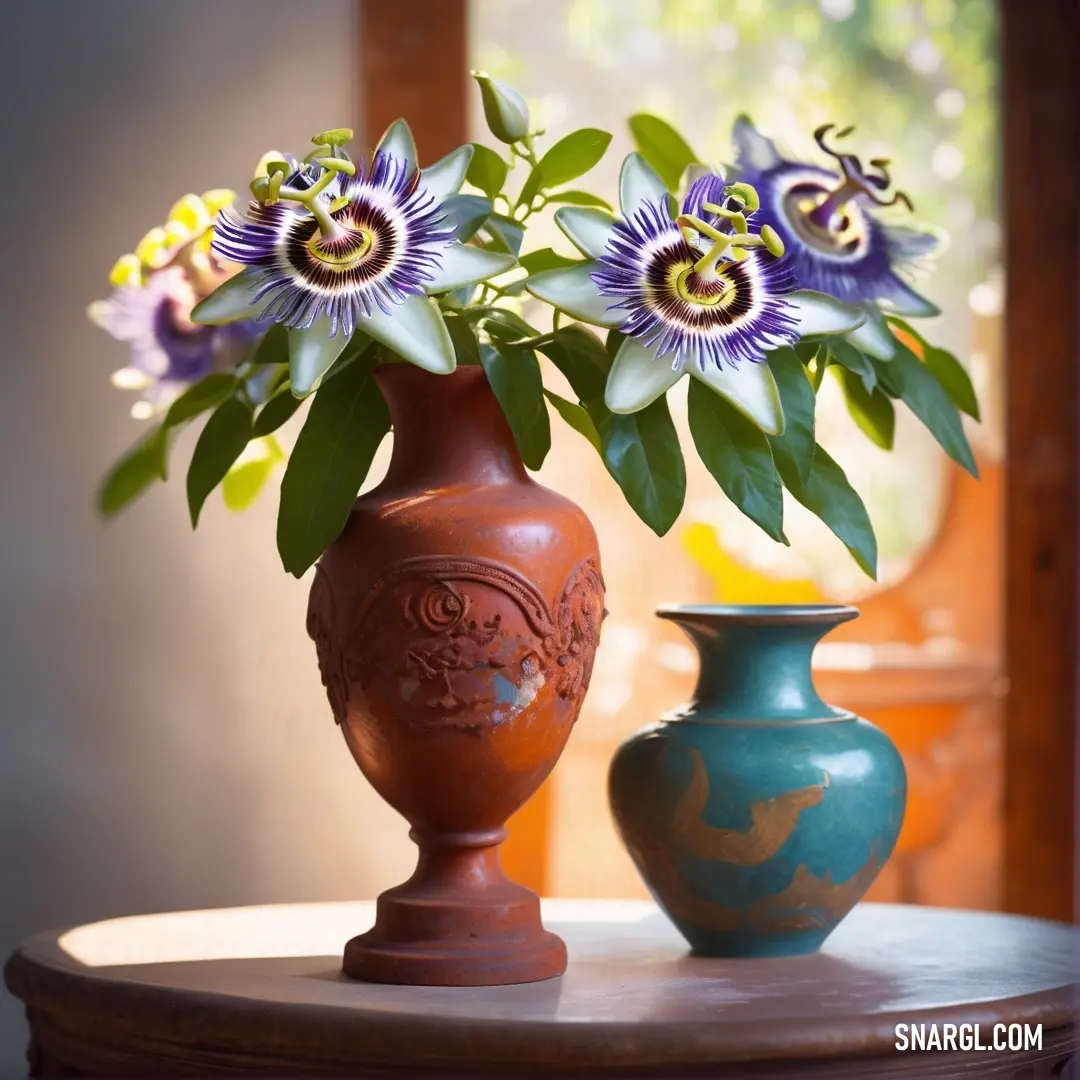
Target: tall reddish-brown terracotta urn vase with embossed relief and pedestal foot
{"type": "Point", "coordinates": [456, 619]}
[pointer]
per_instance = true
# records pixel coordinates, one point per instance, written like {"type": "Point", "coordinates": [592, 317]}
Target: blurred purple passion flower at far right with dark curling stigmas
{"type": "Point", "coordinates": [826, 218]}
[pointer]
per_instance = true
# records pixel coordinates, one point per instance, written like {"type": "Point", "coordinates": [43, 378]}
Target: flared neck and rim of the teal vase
{"type": "Point", "coordinates": [757, 661]}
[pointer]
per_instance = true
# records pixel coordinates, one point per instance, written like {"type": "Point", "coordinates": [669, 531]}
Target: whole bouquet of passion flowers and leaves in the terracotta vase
{"type": "Point", "coordinates": [754, 282]}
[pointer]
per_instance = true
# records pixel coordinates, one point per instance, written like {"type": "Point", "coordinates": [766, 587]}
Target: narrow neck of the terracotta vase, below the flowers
{"type": "Point", "coordinates": [449, 429]}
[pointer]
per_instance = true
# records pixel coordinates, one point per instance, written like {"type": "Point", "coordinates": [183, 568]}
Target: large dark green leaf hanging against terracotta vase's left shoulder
{"type": "Point", "coordinates": [347, 422]}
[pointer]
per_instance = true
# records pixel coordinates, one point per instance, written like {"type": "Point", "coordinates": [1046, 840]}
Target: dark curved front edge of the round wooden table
{"type": "Point", "coordinates": [80, 1002]}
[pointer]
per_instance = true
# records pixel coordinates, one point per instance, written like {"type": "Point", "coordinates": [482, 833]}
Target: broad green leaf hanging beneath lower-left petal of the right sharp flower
{"type": "Point", "coordinates": [642, 453]}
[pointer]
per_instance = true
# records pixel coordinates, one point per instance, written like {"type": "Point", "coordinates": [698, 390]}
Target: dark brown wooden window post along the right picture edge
{"type": "Point", "coordinates": [1041, 106]}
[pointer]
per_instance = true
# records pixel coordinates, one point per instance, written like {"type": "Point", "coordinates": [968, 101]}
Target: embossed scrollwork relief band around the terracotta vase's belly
{"type": "Point", "coordinates": [469, 644]}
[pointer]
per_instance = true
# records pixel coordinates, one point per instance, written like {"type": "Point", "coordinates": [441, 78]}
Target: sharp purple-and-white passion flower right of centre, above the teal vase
{"type": "Point", "coordinates": [699, 293]}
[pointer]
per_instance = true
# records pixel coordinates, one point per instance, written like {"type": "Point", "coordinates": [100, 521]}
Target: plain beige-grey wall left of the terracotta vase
{"type": "Point", "coordinates": [165, 741]}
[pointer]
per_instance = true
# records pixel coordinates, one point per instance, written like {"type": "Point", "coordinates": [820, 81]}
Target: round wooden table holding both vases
{"type": "Point", "coordinates": [259, 992]}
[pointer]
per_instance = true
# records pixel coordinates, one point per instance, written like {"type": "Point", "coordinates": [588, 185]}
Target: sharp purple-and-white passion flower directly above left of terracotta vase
{"type": "Point", "coordinates": [332, 249]}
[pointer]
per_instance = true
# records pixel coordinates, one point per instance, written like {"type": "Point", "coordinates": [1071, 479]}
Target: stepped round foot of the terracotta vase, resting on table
{"type": "Point", "coordinates": [494, 939]}
